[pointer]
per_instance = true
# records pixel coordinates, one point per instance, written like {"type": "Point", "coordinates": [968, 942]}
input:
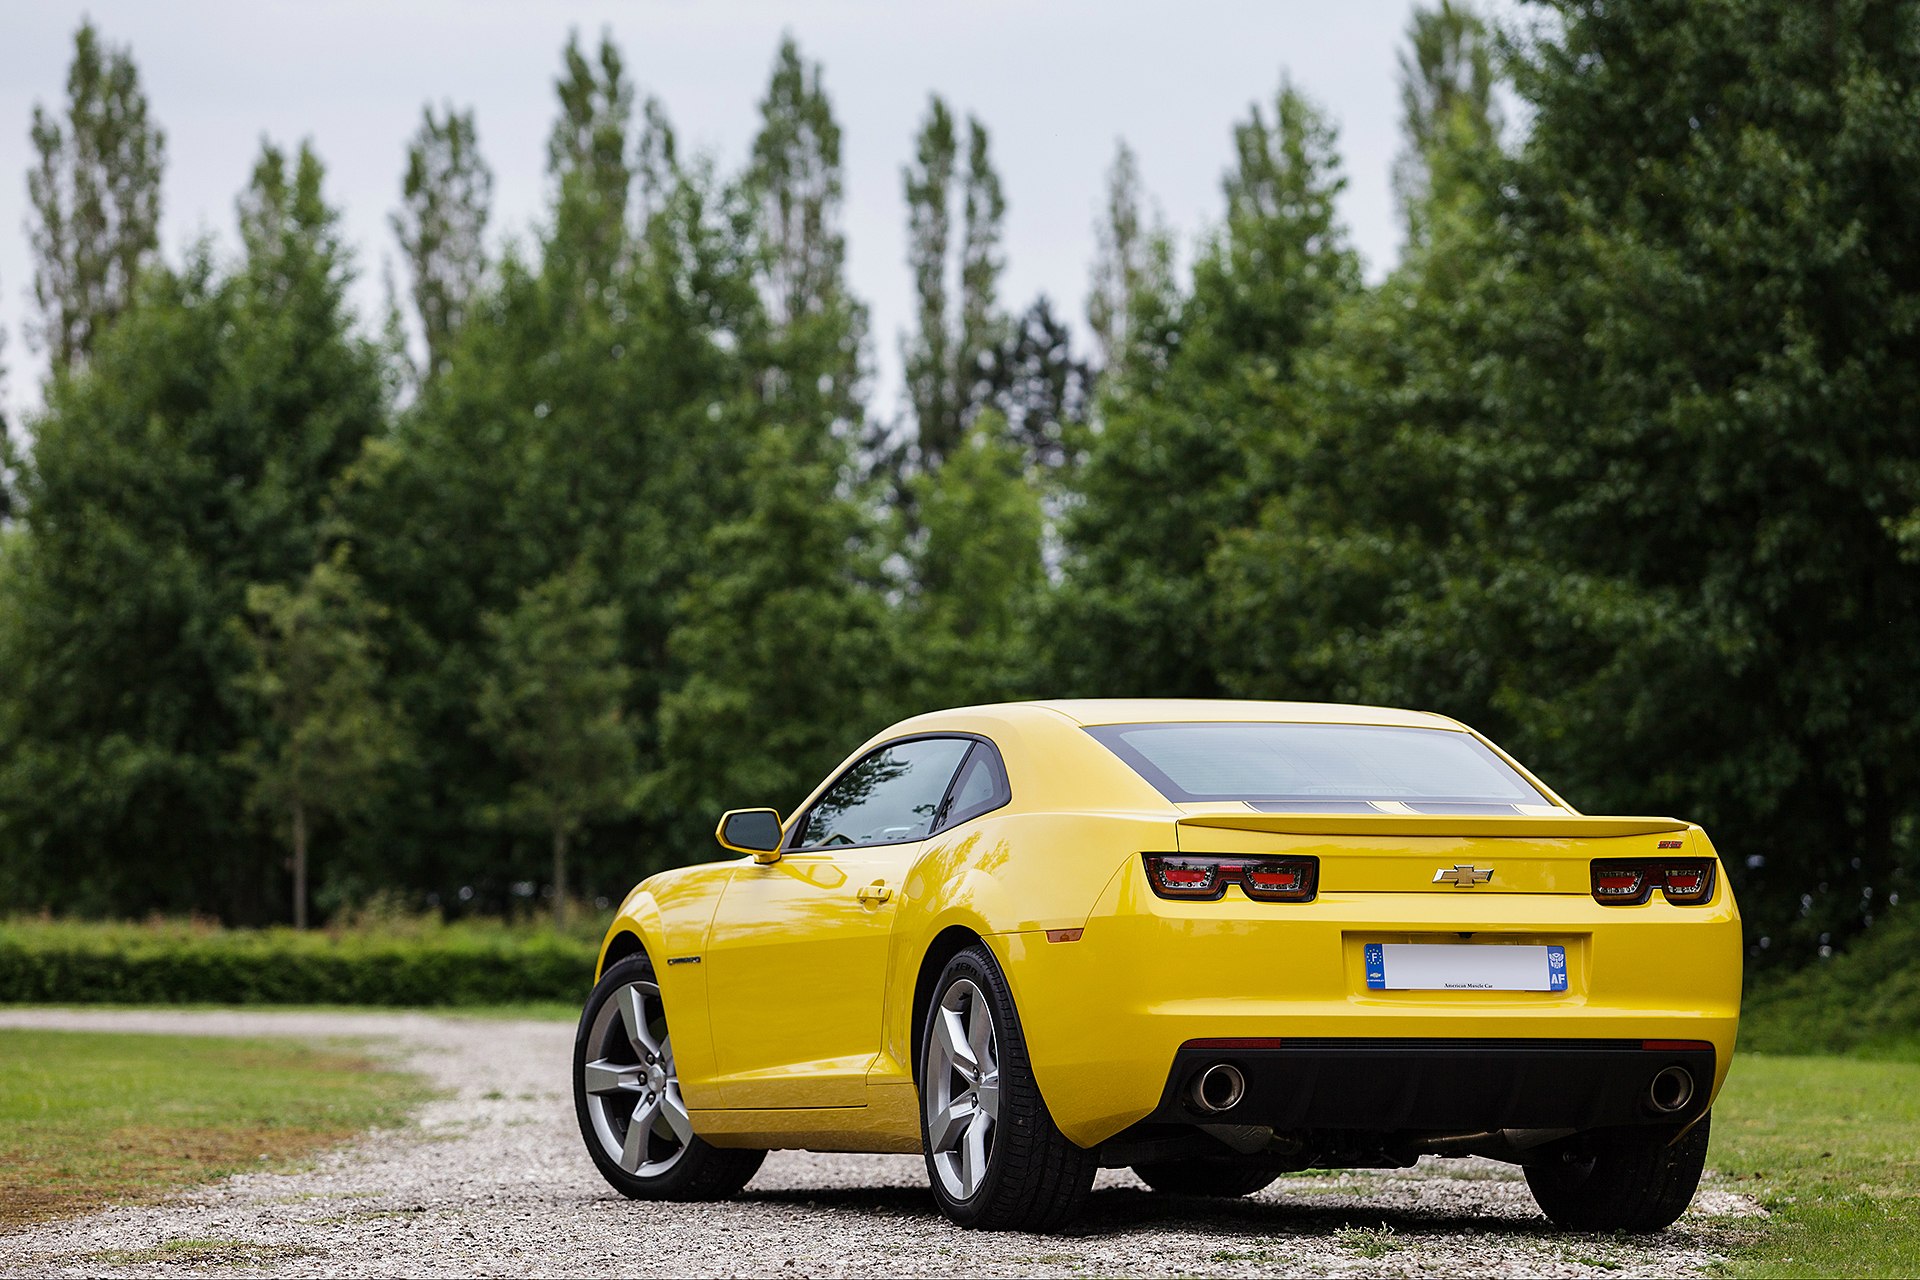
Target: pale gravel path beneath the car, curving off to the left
{"type": "Point", "coordinates": [494, 1181]}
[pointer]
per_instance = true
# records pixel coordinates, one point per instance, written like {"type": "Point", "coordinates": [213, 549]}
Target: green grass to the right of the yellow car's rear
{"type": "Point", "coordinates": [1833, 1149]}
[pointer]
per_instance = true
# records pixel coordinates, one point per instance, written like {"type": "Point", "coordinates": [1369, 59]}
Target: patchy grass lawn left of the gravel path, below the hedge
{"type": "Point", "coordinates": [87, 1118]}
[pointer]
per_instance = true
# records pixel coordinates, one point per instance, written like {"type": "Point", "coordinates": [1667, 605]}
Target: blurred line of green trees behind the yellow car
{"type": "Point", "coordinates": [1620, 463]}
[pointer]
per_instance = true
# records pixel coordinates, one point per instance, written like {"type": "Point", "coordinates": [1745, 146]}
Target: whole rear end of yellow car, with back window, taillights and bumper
{"type": "Point", "coordinates": [1414, 949]}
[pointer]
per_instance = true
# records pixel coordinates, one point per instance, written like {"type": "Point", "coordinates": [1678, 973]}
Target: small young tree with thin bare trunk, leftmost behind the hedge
{"type": "Point", "coordinates": [327, 742]}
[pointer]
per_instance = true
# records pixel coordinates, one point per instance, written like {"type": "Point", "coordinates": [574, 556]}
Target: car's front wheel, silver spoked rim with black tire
{"type": "Point", "coordinates": [627, 1095]}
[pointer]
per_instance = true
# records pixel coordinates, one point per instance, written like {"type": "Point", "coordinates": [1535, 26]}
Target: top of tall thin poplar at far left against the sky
{"type": "Point", "coordinates": [95, 199]}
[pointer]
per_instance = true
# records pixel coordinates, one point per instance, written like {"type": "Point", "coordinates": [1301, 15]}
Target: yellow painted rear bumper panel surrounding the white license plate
{"type": "Point", "coordinates": [1107, 1016]}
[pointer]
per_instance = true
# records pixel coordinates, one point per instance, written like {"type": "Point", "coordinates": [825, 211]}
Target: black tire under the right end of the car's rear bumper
{"type": "Point", "coordinates": [1621, 1179]}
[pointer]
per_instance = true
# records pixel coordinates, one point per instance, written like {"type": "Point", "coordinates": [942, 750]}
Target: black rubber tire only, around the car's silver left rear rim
{"type": "Point", "coordinates": [1036, 1177]}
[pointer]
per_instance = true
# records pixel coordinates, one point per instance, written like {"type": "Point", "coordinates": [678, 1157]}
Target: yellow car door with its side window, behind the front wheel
{"type": "Point", "coordinates": [798, 957]}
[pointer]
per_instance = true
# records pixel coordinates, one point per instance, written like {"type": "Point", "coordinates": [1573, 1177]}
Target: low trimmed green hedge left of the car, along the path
{"type": "Point", "coordinates": [181, 964]}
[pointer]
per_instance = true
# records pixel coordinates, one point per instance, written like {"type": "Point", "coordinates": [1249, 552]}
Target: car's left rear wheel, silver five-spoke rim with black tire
{"type": "Point", "coordinates": [996, 1156]}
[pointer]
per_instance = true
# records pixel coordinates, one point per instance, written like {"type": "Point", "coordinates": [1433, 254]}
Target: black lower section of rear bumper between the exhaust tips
{"type": "Point", "coordinates": [1441, 1087]}
